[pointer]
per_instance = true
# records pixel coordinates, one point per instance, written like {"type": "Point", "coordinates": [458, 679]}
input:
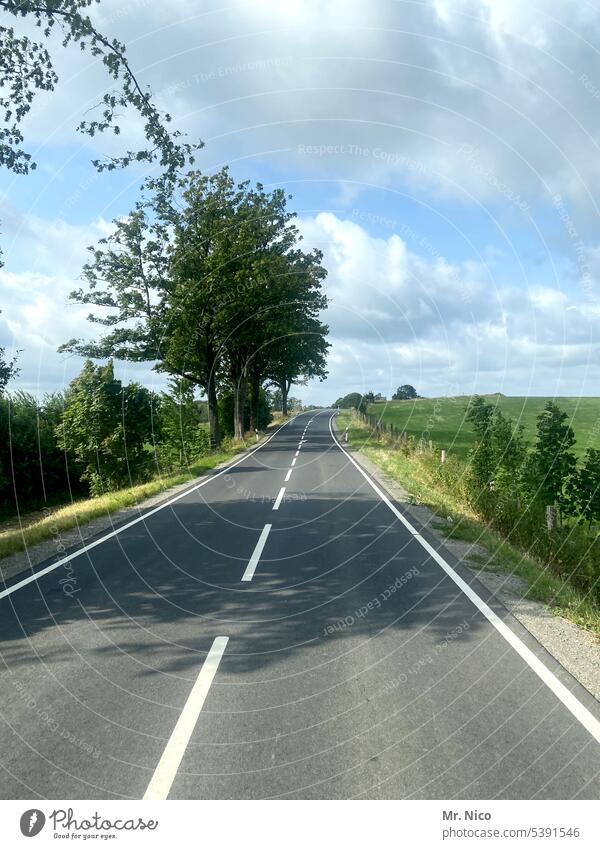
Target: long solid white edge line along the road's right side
{"type": "Point", "coordinates": [571, 702]}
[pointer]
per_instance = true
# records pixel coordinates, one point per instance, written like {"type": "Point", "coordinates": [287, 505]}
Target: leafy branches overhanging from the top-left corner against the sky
{"type": "Point", "coordinates": [26, 67]}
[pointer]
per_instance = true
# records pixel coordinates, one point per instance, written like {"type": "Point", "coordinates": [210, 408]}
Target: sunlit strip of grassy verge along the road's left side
{"type": "Point", "coordinates": [43, 525]}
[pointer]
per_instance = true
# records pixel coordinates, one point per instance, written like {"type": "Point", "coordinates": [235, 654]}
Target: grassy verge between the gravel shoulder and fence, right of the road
{"type": "Point", "coordinates": [414, 475]}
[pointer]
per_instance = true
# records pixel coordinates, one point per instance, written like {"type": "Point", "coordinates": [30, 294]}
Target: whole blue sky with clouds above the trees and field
{"type": "Point", "coordinates": [443, 154]}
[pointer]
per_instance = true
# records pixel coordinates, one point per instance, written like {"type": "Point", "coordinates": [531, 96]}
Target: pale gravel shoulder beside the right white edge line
{"type": "Point", "coordinates": [573, 647]}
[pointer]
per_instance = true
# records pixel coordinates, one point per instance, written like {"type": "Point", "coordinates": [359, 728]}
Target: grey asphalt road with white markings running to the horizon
{"type": "Point", "coordinates": [341, 660]}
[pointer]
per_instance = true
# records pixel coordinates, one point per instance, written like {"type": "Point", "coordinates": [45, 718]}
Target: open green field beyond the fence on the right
{"type": "Point", "coordinates": [444, 419]}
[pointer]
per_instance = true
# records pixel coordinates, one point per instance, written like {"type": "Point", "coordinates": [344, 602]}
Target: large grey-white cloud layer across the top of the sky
{"type": "Point", "coordinates": [408, 84]}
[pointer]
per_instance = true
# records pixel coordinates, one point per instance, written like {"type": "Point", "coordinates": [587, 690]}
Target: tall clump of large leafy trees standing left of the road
{"type": "Point", "coordinates": [201, 280]}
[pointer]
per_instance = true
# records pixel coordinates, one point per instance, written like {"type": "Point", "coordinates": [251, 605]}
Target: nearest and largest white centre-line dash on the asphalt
{"type": "Point", "coordinates": [165, 772]}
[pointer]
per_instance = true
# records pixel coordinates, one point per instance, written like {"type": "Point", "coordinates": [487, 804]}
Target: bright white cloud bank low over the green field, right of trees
{"type": "Point", "coordinates": [397, 317]}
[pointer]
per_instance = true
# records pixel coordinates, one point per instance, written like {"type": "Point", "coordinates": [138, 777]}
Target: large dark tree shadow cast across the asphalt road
{"type": "Point", "coordinates": [335, 568]}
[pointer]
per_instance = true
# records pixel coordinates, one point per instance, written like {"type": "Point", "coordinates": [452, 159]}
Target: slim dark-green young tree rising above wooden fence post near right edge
{"type": "Point", "coordinates": [552, 463]}
